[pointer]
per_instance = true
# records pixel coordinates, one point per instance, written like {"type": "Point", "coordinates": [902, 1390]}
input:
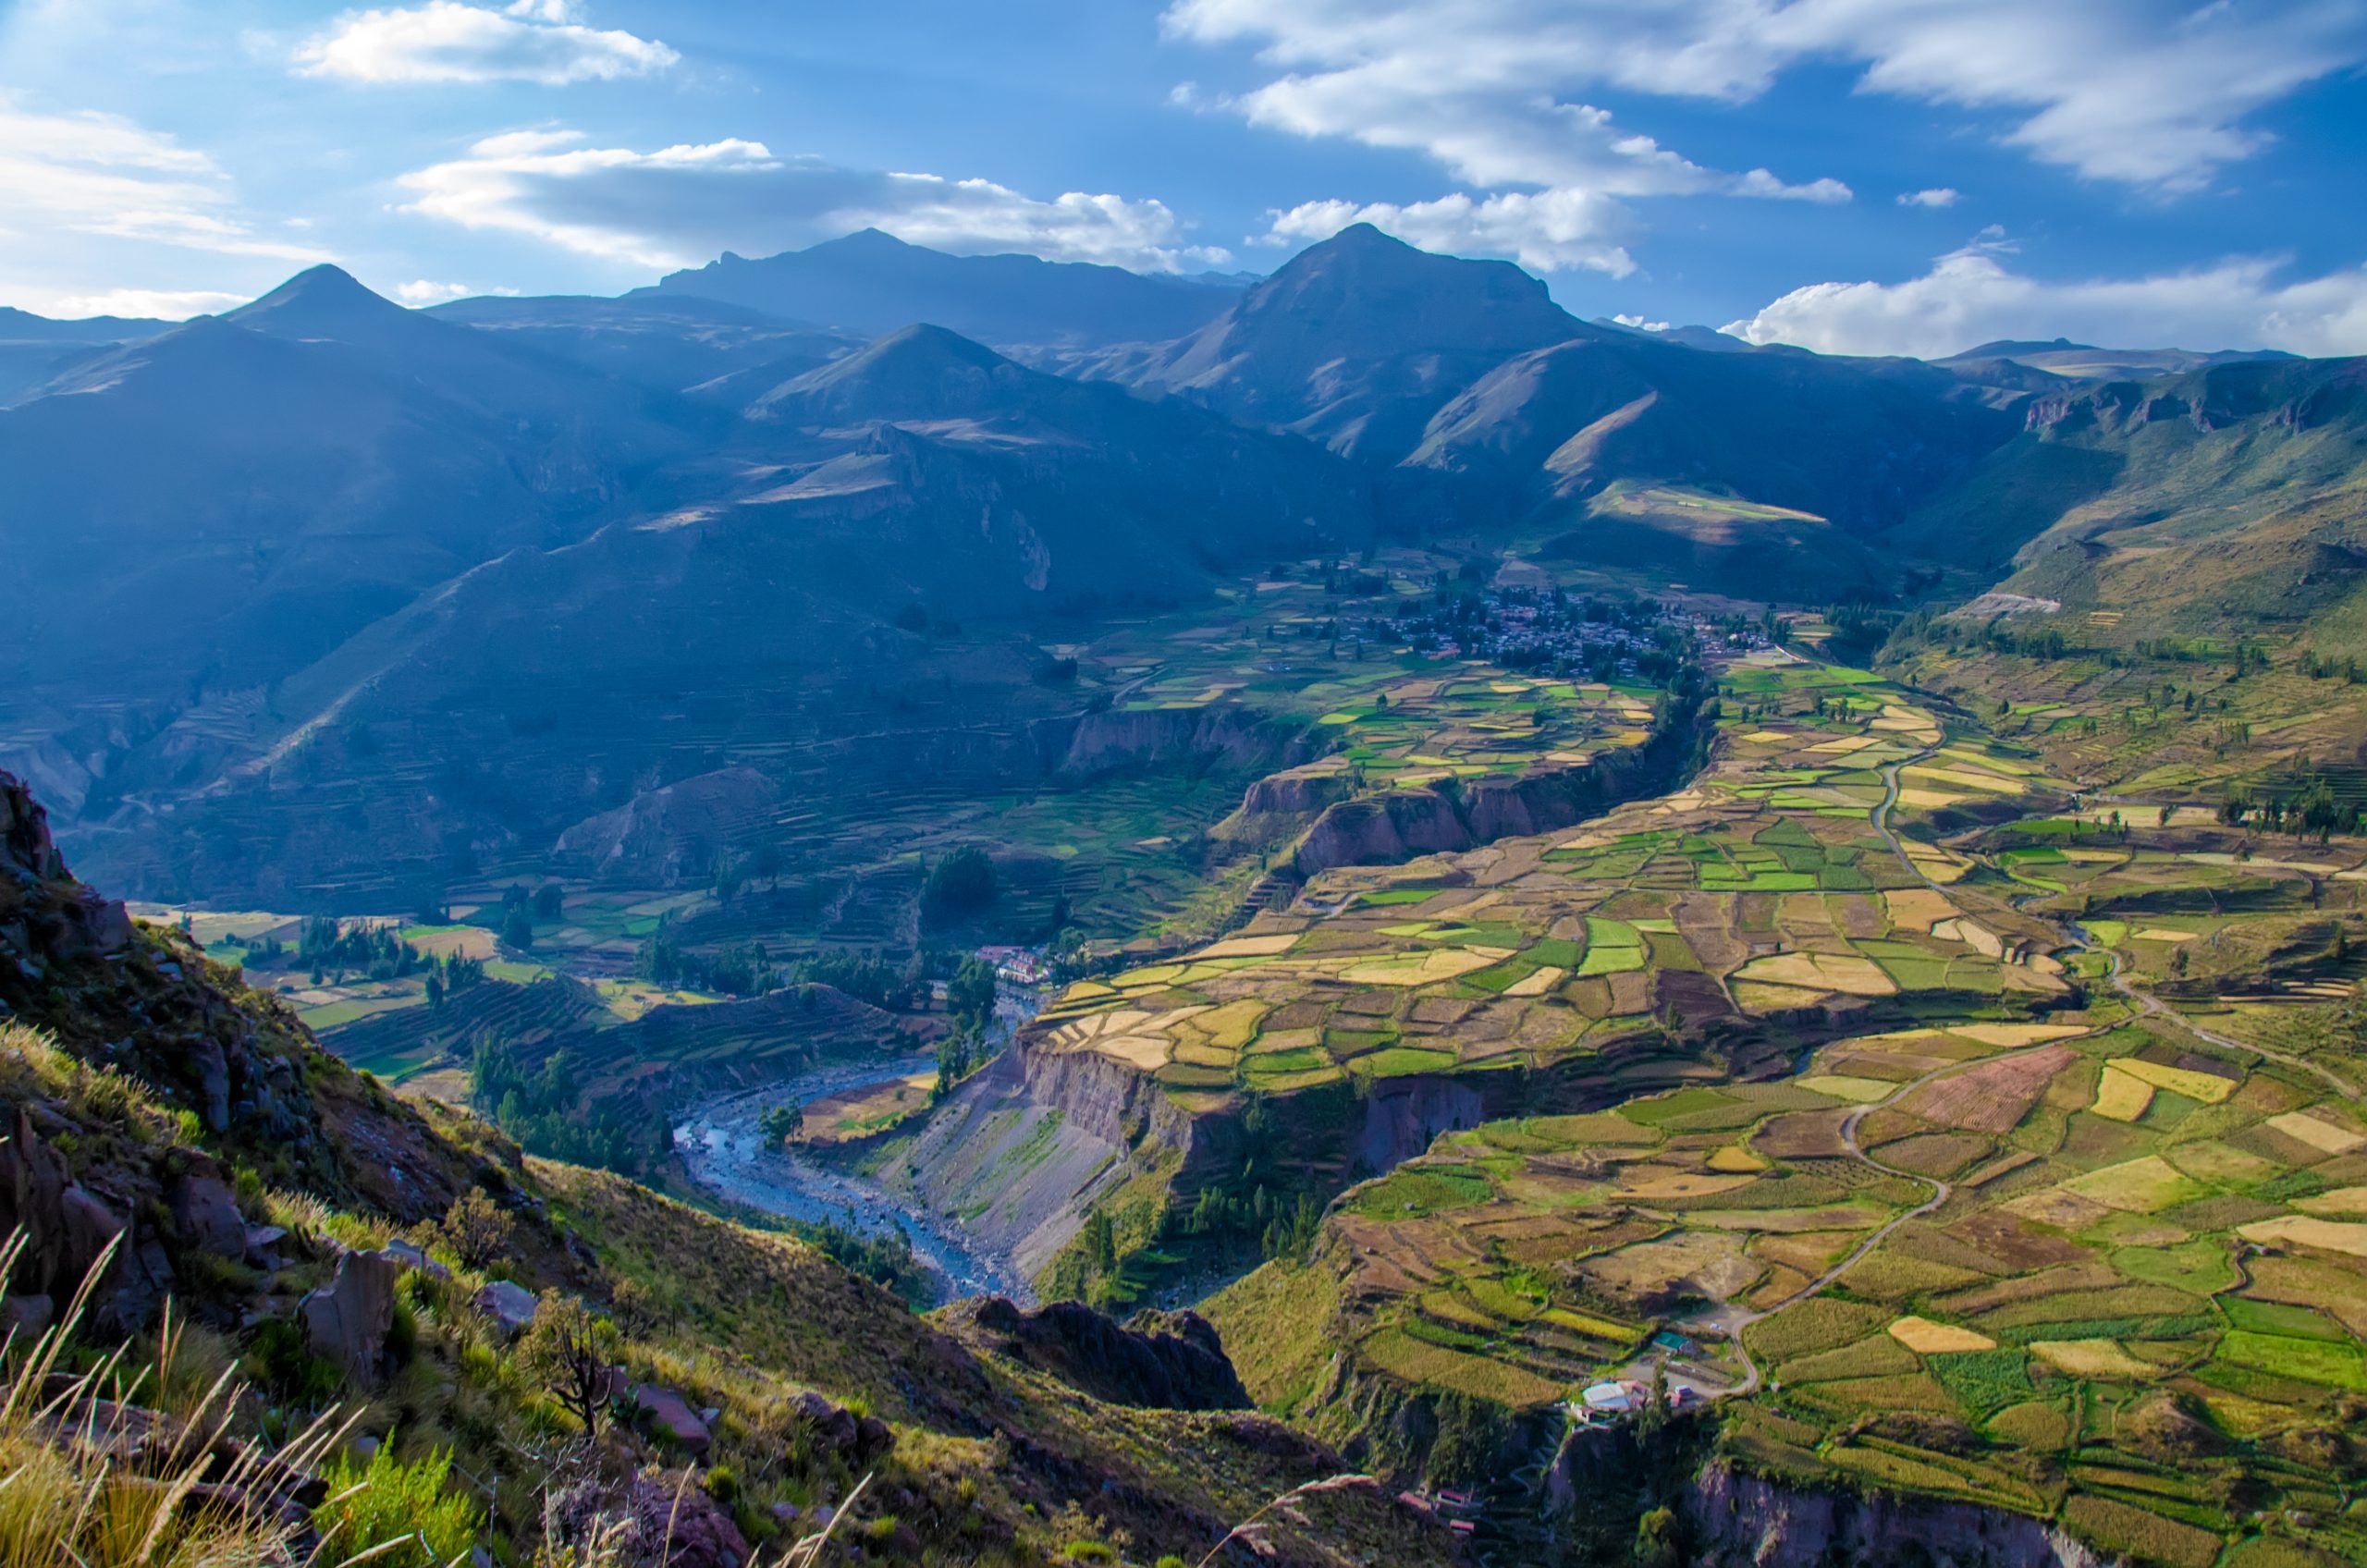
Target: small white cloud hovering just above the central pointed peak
{"type": "Point", "coordinates": [1549, 231]}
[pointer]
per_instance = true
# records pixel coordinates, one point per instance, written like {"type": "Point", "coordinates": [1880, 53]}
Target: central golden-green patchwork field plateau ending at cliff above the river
{"type": "Point", "coordinates": [1765, 892]}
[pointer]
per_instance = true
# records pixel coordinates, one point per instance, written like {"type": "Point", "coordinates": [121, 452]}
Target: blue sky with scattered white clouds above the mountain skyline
{"type": "Point", "coordinates": [1866, 176]}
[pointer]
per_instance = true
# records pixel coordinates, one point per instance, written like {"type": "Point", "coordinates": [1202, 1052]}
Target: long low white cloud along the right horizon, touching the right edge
{"type": "Point", "coordinates": [1975, 297]}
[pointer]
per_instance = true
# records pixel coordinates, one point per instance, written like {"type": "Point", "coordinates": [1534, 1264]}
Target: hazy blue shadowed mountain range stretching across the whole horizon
{"type": "Point", "coordinates": [243, 536]}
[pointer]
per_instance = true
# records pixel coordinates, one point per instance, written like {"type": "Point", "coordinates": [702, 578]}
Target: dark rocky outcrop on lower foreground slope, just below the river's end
{"type": "Point", "coordinates": [1163, 1361]}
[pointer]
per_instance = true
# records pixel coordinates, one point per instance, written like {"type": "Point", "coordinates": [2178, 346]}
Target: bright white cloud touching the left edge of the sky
{"type": "Point", "coordinates": [98, 174]}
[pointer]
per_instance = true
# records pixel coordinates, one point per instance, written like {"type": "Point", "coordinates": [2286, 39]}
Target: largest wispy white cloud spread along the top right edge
{"type": "Point", "coordinates": [1497, 89]}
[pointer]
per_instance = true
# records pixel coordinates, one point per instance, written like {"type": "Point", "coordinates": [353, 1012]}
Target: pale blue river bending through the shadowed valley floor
{"type": "Point", "coordinates": [728, 1152]}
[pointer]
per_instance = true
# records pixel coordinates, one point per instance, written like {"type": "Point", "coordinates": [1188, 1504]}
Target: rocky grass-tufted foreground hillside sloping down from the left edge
{"type": "Point", "coordinates": [335, 1247]}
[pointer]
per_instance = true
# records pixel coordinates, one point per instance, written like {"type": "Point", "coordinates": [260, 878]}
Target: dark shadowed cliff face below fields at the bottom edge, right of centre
{"type": "Point", "coordinates": [1746, 1522]}
